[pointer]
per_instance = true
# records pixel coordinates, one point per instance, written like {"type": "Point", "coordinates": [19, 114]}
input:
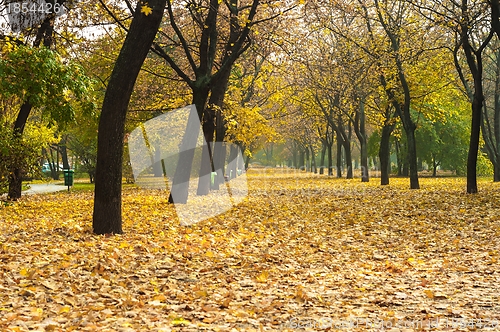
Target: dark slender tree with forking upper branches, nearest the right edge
{"type": "Point", "coordinates": [472, 25]}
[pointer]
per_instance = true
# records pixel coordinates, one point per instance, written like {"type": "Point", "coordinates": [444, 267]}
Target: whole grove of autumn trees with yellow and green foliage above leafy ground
{"type": "Point", "coordinates": [336, 87]}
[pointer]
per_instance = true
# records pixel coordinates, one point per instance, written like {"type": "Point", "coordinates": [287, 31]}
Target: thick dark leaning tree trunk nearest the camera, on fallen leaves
{"type": "Point", "coordinates": [107, 216]}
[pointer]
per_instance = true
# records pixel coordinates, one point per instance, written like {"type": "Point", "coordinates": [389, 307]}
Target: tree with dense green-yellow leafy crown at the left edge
{"type": "Point", "coordinates": [39, 78]}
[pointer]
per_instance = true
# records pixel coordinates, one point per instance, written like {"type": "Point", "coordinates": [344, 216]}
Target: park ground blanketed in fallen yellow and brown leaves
{"type": "Point", "coordinates": [301, 252]}
